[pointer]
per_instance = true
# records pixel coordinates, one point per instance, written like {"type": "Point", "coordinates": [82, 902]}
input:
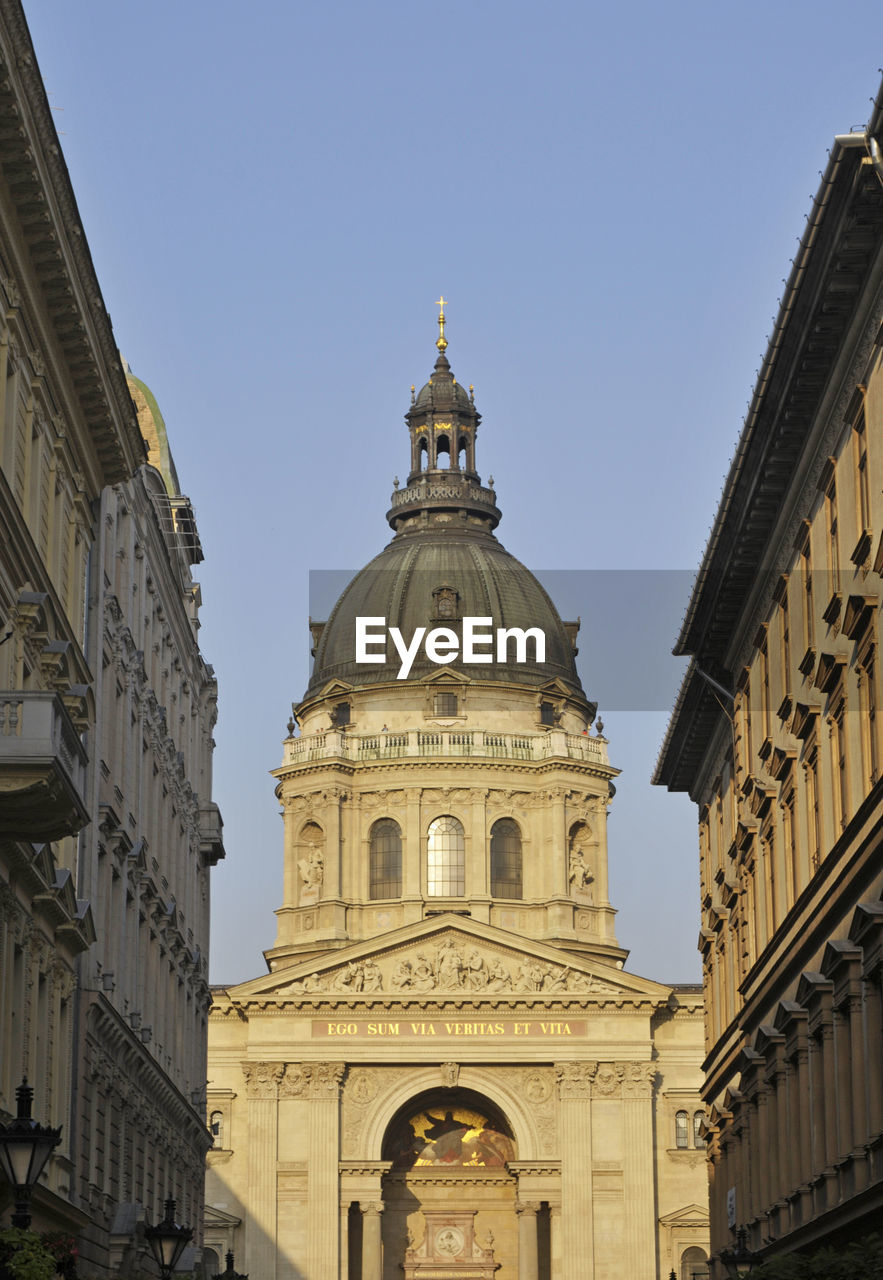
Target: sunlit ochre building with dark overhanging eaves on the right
{"type": "Point", "coordinates": [777, 738]}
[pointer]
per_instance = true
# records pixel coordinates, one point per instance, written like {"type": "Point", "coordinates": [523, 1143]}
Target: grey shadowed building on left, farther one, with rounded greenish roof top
{"type": "Point", "coordinates": [145, 865]}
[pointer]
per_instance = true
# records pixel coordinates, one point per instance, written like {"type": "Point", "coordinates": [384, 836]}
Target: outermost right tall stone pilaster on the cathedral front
{"type": "Point", "coordinates": [638, 1081]}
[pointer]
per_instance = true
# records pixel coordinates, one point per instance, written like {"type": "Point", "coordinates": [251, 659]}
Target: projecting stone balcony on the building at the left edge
{"type": "Point", "coordinates": [43, 769]}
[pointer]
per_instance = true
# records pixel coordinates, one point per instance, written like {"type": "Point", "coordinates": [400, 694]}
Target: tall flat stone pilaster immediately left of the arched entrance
{"type": "Point", "coordinates": [323, 1187]}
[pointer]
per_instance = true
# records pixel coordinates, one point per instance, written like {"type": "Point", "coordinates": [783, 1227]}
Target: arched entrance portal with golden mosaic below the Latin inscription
{"type": "Point", "coordinates": [450, 1197]}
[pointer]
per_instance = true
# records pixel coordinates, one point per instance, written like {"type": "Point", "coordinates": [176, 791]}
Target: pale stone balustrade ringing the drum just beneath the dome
{"type": "Point", "coordinates": [417, 743]}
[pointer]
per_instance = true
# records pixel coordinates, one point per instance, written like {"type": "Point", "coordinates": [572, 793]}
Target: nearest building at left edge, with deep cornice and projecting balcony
{"type": "Point", "coordinates": [67, 429]}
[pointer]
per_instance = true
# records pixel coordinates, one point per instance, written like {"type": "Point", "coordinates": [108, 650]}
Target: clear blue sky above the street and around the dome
{"type": "Point", "coordinates": [610, 196]}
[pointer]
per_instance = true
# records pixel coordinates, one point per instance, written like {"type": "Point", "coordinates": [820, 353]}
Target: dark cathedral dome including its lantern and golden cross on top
{"type": "Point", "coordinates": [445, 566]}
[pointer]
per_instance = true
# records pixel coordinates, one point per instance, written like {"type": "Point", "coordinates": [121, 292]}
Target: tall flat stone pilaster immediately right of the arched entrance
{"type": "Point", "coordinates": [578, 1224]}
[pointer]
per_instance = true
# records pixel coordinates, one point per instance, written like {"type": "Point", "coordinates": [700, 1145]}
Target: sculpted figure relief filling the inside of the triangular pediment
{"type": "Point", "coordinates": [451, 967]}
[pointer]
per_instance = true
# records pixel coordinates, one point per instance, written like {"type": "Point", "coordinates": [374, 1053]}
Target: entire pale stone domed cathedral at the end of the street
{"type": "Point", "coordinates": [447, 1069]}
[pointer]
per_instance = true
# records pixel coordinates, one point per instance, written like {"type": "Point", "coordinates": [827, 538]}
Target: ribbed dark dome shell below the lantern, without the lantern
{"type": "Point", "coordinates": [436, 579]}
